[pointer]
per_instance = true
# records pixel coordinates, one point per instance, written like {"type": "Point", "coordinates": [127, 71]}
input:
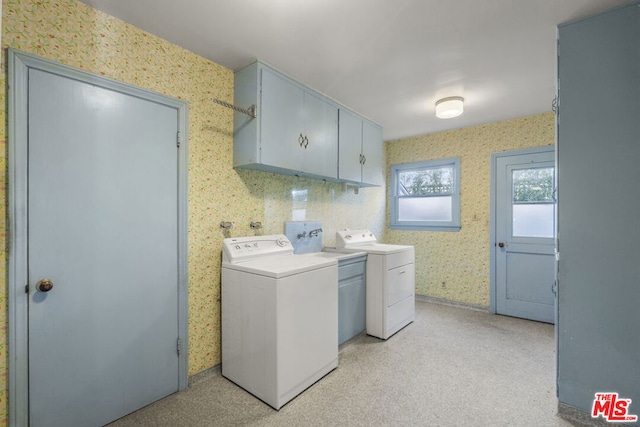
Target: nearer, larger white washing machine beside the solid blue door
{"type": "Point", "coordinates": [279, 317]}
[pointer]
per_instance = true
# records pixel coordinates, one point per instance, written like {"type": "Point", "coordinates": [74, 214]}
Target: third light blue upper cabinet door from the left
{"type": "Point", "coordinates": [350, 147]}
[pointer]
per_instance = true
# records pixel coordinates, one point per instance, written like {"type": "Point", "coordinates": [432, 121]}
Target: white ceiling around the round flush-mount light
{"type": "Point", "coordinates": [388, 60]}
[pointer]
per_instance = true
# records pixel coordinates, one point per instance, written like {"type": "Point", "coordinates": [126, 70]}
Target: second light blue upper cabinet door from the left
{"type": "Point", "coordinates": [321, 130]}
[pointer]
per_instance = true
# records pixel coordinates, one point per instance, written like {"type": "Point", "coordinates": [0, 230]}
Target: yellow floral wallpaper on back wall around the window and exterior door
{"type": "Point", "coordinates": [455, 265]}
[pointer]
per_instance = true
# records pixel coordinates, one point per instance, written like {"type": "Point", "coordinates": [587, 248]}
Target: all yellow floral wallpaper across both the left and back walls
{"type": "Point", "coordinates": [449, 265]}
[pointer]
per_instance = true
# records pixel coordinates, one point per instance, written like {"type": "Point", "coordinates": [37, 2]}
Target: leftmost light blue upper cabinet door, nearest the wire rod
{"type": "Point", "coordinates": [281, 122]}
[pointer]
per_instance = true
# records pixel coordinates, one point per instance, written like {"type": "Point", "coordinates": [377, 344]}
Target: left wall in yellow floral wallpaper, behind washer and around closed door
{"type": "Point", "coordinates": [77, 35]}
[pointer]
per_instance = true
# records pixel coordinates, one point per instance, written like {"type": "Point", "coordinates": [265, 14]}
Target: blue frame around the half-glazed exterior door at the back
{"type": "Point", "coordinates": [492, 221]}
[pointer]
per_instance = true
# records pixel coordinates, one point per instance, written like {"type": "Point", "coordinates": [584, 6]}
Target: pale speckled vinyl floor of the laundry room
{"type": "Point", "coordinates": [451, 367]}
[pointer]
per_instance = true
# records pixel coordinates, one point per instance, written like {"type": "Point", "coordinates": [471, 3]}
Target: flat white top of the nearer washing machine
{"type": "Point", "coordinates": [282, 266]}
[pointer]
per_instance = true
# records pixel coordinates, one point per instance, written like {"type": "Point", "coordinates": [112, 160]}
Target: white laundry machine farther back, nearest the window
{"type": "Point", "coordinates": [390, 281]}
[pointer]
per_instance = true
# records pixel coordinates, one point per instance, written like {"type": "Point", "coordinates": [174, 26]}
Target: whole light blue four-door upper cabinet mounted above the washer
{"type": "Point", "coordinates": [296, 131]}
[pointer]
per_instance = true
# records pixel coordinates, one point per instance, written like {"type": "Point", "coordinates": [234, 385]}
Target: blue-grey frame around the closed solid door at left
{"type": "Point", "coordinates": [19, 64]}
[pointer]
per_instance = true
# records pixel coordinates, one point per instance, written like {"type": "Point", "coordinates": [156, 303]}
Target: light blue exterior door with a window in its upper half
{"type": "Point", "coordinates": [524, 235]}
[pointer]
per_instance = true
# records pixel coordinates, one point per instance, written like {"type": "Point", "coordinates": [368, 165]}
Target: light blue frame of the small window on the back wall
{"type": "Point", "coordinates": [394, 197]}
